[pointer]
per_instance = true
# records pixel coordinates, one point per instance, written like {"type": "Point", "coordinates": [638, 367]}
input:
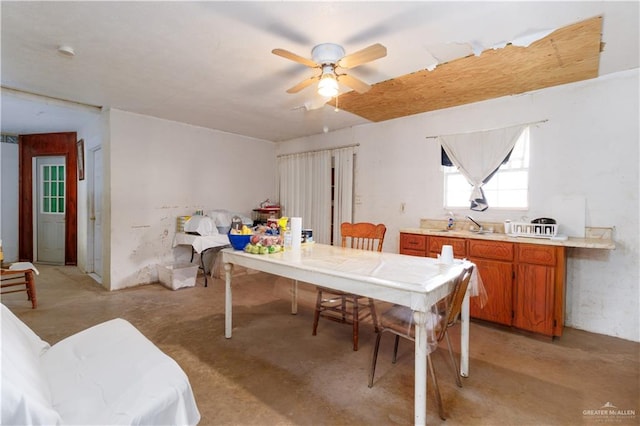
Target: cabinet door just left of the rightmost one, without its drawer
{"type": "Point", "coordinates": [497, 278]}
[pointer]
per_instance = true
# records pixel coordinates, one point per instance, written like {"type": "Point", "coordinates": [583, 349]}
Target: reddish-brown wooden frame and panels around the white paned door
{"type": "Point", "coordinates": [39, 145]}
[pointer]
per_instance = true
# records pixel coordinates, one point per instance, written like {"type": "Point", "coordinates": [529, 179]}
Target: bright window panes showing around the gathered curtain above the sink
{"type": "Point", "coordinates": [507, 189]}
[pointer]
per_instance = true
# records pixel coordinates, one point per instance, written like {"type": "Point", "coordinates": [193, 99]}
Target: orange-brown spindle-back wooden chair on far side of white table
{"type": "Point", "coordinates": [345, 307]}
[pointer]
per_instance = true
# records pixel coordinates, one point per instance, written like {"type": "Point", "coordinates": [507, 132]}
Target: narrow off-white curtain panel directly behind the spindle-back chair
{"type": "Point", "coordinates": [343, 189]}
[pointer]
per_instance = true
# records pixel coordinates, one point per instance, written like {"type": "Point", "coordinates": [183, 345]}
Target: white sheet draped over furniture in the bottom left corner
{"type": "Point", "coordinates": [110, 374]}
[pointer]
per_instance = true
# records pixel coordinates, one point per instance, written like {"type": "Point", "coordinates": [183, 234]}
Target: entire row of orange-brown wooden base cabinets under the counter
{"type": "Point", "coordinates": [524, 282]}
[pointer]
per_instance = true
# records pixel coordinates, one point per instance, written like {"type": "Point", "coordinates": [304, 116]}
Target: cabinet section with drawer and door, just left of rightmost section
{"type": "Point", "coordinates": [494, 261]}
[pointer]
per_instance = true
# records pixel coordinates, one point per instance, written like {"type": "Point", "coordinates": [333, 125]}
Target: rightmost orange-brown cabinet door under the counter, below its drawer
{"type": "Point", "coordinates": [534, 301]}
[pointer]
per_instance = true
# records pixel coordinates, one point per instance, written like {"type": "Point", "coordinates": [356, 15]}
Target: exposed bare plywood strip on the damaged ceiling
{"type": "Point", "coordinates": [567, 55]}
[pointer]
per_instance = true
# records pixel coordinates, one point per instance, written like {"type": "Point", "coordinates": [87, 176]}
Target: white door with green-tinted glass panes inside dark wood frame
{"type": "Point", "coordinates": [50, 189]}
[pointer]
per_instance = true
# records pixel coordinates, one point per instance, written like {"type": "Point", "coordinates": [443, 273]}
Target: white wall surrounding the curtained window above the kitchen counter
{"type": "Point", "coordinates": [588, 146]}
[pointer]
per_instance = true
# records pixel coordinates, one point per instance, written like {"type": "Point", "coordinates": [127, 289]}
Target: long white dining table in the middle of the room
{"type": "Point", "coordinates": [416, 282]}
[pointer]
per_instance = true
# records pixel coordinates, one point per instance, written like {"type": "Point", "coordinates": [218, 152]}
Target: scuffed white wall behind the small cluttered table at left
{"type": "Point", "coordinates": [159, 170]}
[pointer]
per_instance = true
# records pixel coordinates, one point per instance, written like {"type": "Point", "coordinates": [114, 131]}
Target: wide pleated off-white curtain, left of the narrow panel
{"type": "Point", "coordinates": [305, 191]}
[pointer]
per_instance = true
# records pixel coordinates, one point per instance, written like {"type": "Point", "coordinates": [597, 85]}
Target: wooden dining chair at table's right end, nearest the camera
{"type": "Point", "coordinates": [399, 321]}
